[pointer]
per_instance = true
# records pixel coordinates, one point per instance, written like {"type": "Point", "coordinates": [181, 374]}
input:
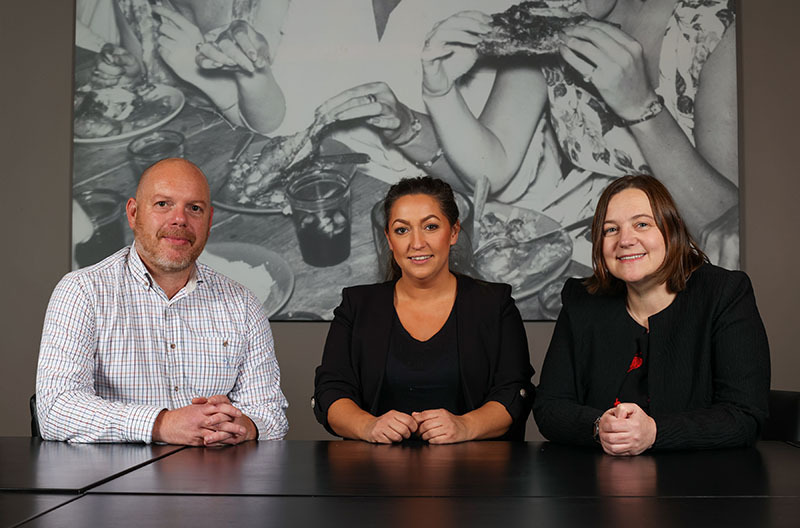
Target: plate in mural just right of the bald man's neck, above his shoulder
{"type": "Point", "coordinates": [259, 269]}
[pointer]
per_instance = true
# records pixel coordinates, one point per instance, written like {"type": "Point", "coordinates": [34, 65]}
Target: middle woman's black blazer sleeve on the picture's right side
{"type": "Point", "coordinates": [511, 383]}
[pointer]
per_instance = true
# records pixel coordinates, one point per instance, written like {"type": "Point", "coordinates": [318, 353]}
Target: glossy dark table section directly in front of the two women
{"type": "Point", "coordinates": [498, 469]}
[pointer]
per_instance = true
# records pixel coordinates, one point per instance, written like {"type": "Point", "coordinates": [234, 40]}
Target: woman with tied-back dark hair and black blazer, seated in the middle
{"type": "Point", "coordinates": [430, 354]}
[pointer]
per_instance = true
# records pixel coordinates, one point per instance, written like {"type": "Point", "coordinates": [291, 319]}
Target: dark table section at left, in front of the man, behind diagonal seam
{"type": "Point", "coordinates": [30, 464]}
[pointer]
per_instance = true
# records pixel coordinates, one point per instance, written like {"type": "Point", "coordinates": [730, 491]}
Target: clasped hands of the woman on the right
{"type": "Point", "coordinates": [626, 430]}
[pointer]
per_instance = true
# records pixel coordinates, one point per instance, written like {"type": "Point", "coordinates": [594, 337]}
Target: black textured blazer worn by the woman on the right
{"type": "Point", "coordinates": [708, 373]}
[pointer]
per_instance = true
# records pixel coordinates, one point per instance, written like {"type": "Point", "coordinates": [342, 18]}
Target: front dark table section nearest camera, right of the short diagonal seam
{"type": "Point", "coordinates": [146, 511]}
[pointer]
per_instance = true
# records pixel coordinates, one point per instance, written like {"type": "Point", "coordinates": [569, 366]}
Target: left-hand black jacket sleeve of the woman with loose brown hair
{"type": "Point", "coordinates": [558, 411]}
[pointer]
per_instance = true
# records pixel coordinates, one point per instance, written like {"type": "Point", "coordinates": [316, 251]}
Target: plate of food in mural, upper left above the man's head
{"type": "Point", "coordinates": [105, 115]}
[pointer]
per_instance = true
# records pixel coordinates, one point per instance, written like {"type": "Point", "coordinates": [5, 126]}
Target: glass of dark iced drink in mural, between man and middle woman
{"type": "Point", "coordinates": [320, 203]}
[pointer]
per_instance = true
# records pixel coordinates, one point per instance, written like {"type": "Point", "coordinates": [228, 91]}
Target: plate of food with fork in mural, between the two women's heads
{"type": "Point", "coordinates": [523, 248]}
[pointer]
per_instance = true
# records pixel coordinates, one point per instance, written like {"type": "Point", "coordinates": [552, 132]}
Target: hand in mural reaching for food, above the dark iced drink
{"type": "Point", "coordinates": [378, 106]}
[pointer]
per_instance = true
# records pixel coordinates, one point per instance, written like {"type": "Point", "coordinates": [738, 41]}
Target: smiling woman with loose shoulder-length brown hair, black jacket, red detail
{"type": "Point", "coordinates": [658, 348]}
